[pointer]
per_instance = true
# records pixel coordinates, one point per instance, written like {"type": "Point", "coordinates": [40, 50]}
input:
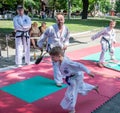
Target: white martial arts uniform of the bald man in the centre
{"type": "Point", "coordinates": [54, 38]}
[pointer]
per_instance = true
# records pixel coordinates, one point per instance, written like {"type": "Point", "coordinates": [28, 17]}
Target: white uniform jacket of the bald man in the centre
{"type": "Point", "coordinates": [53, 37]}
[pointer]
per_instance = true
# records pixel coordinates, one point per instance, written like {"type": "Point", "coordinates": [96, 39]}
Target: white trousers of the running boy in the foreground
{"type": "Point", "coordinates": [77, 85]}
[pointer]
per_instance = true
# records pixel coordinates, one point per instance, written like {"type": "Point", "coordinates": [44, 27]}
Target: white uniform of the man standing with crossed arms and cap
{"type": "Point", "coordinates": [22, 24]}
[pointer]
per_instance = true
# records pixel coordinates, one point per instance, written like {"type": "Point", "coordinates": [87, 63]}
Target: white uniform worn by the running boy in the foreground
{"type": "Point", "coordinates": [74, 71]}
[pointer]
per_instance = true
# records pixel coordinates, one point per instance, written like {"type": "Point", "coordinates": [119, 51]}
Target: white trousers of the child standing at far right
{"type": "Point", "coordinates": [105, 47]}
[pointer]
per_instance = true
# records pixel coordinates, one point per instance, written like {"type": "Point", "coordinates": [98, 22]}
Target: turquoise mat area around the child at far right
{"type": "Point", "coordinates": [110, 64]}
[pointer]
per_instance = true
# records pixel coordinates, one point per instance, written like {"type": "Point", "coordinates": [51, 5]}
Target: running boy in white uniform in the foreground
{"type": "Point", "coordinates": [73, 74]}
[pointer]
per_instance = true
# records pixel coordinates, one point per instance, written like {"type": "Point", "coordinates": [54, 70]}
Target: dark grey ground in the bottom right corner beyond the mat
{"type": "Point", "coordinates": [111, 106]}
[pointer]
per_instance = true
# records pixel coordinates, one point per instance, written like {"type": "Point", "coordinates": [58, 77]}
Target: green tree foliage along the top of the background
{"type": "Point", "coordinates": [83, 6]}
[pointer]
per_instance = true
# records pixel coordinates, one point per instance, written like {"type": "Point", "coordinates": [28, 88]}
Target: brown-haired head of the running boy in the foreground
{"type": "Point", "coordinates": [56, 54]}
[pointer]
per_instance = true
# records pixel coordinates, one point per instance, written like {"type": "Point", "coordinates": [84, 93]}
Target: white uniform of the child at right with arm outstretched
{"type": "Point", "coordinates": [107, 38]}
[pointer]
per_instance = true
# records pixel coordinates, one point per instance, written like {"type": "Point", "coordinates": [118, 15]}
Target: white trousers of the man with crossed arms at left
{"type": "Point", "coordinates": [22, 47]}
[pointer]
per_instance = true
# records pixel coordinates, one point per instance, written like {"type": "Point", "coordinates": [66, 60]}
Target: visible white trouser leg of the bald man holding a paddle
{"type": "Point", "coordinates": [57, 74]}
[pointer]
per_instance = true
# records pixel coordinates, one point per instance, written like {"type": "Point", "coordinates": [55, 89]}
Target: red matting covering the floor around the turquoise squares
{"type": "Point", "coordinates": [108, 81]}
